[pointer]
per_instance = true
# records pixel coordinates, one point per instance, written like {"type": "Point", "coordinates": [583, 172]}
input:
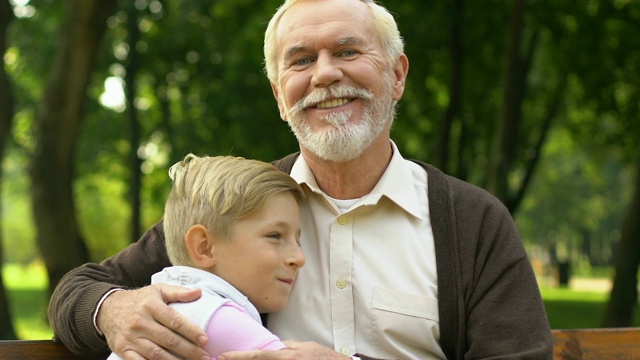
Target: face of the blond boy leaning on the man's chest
{"type": "Point", "coordinates": [263, 259]}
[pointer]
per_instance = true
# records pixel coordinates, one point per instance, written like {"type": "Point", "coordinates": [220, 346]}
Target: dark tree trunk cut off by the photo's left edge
{"type": "Point", "coordinates": [6, 116]}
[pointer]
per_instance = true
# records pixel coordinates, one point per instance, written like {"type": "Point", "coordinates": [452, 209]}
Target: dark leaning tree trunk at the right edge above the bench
{"type": "Point", "coordinates": [624, 294]}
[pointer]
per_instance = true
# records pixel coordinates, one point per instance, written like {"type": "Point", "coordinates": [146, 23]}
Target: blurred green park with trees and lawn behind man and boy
{"type": "Point", "coordinates": [537, 102]}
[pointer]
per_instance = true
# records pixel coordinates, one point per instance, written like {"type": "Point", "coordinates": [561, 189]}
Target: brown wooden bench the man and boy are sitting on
{"type": "Point", "coordinates": [580, 344]}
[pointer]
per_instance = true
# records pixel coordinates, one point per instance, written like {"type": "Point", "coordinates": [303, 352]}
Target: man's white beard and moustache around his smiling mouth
{"type": "Point", "coordinates": [345, 140]}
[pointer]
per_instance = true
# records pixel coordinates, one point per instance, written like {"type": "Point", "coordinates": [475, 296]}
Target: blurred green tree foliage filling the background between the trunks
{"type": "Point", "coordinates": [200, 88]}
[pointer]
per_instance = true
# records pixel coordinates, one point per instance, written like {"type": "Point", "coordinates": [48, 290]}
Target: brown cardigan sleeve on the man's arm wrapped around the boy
{"type": "Point", "coordinates": [74, 300]}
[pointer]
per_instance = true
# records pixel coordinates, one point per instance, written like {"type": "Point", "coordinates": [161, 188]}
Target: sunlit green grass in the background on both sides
{"type": "Point", "coordinates": [566, 308]}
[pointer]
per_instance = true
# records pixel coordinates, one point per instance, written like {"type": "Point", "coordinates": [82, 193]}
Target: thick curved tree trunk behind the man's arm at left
{"type": "Point", "coordinates": [58, 125]}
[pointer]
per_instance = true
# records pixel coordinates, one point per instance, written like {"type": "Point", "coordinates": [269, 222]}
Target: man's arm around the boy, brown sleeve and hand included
{"type": "Point", "coordinates": [74, 301]}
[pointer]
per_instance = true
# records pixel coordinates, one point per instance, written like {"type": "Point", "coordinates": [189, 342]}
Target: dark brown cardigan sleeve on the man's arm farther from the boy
{"type": "Point", "coordinates": [499, 311]}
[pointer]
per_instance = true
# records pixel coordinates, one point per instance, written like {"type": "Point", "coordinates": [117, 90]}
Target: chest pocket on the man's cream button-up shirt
{"type": "Point", "coordinates": [404, 320]}
